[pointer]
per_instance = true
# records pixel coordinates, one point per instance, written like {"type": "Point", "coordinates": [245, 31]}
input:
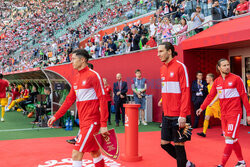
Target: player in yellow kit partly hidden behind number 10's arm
{"type": "Point", "coordinates": [214, 107]}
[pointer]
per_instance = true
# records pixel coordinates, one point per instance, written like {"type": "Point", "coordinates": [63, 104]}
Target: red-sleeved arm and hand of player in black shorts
{"type": "Point", "coordinates": [185, 96]}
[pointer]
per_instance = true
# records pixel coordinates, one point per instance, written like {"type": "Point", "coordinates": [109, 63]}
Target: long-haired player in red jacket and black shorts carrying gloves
{"type": "Point", "coordinates": [176, 103]}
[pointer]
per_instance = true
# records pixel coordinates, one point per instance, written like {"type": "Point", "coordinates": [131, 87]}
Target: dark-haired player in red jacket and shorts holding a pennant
{"type": "Point", "coordinates": [88, 92]}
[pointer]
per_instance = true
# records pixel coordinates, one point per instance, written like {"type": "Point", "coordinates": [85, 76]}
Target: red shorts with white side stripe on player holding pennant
{"type": "Point", "coordinates": [86, 141]}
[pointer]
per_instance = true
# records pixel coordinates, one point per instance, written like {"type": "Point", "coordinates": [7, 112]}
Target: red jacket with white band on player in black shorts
{"type": "Point", "coordinates": [175, 89]}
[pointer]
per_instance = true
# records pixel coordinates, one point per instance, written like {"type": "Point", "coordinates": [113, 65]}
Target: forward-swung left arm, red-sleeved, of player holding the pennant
{"type": "Point", "coordinates": [70, 99]}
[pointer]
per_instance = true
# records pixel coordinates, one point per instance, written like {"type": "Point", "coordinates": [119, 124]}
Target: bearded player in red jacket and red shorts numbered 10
{"type": "Point", "coordinates": [231, 92]}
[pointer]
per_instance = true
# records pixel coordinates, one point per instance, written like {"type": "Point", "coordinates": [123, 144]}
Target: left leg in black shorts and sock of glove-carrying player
{"type": "Point", "coordinates": [166, 137]}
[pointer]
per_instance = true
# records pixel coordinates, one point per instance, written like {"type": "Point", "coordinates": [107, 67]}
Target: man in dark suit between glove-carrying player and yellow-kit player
{"type": "Point", "coordinates": [199, 93]}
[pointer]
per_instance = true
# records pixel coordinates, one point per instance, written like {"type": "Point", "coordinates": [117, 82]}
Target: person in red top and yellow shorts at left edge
{"type": "Point", "coordinates": [3, 99]}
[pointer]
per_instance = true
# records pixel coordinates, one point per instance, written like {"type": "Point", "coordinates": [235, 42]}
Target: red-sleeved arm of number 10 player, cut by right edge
{"type": "Point", "coordinates": [243, 95]}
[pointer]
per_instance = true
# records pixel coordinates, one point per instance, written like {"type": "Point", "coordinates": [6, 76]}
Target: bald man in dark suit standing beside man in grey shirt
{"type": "Point", "coordinates": [120, 89]}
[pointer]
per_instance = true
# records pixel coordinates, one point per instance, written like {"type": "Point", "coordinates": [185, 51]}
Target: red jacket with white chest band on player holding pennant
{"type": "Point", "coordinates": [88, 92]}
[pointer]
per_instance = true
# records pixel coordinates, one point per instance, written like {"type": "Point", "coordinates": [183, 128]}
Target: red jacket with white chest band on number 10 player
{"type": "Point", "coordinates": [231, 92]}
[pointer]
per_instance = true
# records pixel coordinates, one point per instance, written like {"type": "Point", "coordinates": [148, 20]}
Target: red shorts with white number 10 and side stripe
{"type": "Point", "coordinates": [230, 125]}
